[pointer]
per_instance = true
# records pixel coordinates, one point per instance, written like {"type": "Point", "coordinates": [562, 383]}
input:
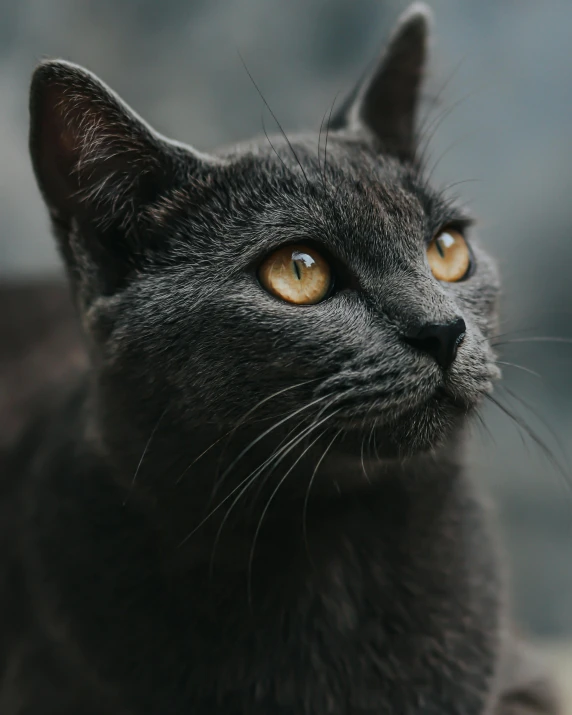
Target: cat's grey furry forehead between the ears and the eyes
{"type": "Point", "coordinates": [361, 204]}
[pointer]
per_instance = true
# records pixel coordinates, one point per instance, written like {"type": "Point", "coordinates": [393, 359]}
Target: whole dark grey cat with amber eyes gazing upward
{"type": "Point", "coordinates": [253, 501]}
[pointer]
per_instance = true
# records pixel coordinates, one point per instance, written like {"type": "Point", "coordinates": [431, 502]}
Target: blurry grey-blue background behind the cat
{"type": "Point", "coordinates": [507, 127]}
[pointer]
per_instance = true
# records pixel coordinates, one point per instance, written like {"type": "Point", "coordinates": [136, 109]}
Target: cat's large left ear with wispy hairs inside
{"type": "Point", "coordinates": [97, 165]}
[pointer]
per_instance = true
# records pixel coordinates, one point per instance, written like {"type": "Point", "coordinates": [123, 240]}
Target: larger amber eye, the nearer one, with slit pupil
{"type": "Point", "coordinates": [297, 274]}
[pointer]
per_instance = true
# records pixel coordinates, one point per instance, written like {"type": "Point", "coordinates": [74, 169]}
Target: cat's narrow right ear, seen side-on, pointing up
{"type": "Point", "coordinates": [385, 101]}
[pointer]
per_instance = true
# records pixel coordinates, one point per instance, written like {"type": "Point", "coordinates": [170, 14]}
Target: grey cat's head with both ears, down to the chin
{"type": "Point", "coordinates": [312, 277]}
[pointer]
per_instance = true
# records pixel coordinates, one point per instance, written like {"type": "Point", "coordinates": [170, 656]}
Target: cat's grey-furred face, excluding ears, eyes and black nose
{"type": "Point", "coordinates": [206, 324]}
